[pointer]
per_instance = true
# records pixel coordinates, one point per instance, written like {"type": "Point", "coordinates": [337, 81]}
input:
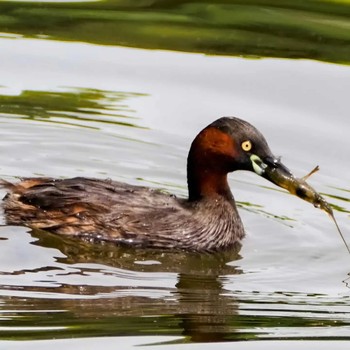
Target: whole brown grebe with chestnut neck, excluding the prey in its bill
{"type": "Point", "coordinates": [105, 210]}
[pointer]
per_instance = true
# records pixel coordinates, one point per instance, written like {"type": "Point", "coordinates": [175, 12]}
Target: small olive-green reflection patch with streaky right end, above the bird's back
{"type": "Point", "coordinates": [80, 107]}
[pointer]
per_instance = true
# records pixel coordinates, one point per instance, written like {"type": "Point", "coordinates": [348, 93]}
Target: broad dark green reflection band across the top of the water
{"type": "Point", "coordinates": [315, 29]}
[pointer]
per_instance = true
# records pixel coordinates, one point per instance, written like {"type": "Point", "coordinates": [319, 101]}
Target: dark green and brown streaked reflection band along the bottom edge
{"type": "Point", "coordinates": [42, 319]}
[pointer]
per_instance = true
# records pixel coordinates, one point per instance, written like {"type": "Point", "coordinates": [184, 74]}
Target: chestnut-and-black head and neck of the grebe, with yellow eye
{"type": "Point", "coordinates": [226, 145]}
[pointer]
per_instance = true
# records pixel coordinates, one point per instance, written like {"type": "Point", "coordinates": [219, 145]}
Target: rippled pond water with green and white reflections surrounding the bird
{"type": "Point", "coordinates": [81, 94]}
